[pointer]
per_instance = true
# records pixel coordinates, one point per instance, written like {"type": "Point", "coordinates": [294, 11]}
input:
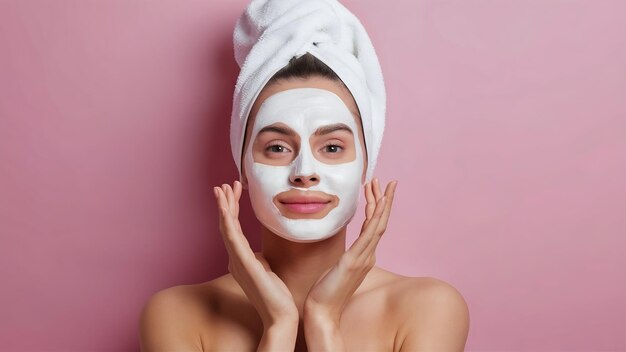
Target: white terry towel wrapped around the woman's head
{"type": "Point", "coordinates": [270, 32]}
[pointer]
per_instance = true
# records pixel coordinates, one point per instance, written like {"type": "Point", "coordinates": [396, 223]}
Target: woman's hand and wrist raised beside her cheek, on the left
{"type": "Point", "coordinates": [265, 290]}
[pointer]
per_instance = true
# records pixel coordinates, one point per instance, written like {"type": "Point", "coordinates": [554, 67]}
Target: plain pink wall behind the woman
{"type": "Point", "coordinates": [506, 131]}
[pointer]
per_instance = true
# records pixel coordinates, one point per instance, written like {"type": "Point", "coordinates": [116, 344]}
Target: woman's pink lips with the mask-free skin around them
{"type": "Point", "coordinates": [295, 204]}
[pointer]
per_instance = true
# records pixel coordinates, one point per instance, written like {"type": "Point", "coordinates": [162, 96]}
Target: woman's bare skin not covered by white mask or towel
{"type": "Point", "coordinates": [306, 296]}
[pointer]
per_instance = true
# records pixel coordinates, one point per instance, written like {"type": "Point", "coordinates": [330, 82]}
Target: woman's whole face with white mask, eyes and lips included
{"type": "Point", "coordinates": [304, 158]}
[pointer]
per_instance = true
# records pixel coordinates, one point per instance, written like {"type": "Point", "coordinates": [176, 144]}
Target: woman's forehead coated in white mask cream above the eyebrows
{"type": "Point", "coordinates": [303, 108]}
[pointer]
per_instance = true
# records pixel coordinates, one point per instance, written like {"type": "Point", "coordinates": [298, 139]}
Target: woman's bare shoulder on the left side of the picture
{"type": "Point", "coordinates": [171, 319]}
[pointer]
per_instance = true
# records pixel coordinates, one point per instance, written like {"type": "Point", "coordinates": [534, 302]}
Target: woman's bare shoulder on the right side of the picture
{"type": "Point", "coordinates": [431, 313]}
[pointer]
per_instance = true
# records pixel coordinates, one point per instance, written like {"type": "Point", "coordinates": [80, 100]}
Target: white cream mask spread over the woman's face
{"type": "Point", "coordinates": [304, 110]}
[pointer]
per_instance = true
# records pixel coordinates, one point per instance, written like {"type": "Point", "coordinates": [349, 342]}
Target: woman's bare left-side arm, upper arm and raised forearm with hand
{"type": "Point", "coordinates": [165, 322]}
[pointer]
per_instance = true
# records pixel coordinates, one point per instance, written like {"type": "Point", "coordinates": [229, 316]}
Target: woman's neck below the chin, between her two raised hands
{"type": "Point", "coordinates": [300, 265]}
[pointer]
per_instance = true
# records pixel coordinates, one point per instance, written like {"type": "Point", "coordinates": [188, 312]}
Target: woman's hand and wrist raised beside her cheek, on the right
{"type": "Point", "coordinates": [330, 294]}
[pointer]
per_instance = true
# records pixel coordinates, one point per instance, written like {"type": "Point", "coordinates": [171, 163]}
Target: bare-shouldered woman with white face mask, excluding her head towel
{"type": "Point", "coordinates": [304, 157]}
